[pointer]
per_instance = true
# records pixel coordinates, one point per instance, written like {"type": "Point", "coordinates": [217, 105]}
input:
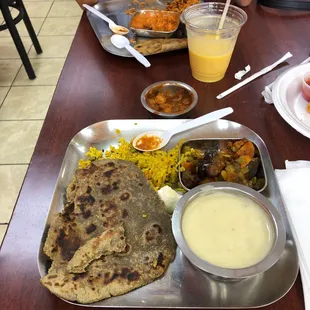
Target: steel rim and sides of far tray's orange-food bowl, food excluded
{"type": "Point", "coordinates": [153, 33]}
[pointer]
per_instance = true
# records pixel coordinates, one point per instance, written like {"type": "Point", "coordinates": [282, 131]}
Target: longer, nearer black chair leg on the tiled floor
{"type": "Point", "coordinates": [17, 40]}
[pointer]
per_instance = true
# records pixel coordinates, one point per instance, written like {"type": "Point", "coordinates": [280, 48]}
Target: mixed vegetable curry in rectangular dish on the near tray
{"type": "Point", "coordinates": [235, 161]}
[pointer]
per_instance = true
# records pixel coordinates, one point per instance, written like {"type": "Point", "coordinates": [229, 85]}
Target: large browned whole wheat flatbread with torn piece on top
{"type": "Point", "coordinates": [112, 236]}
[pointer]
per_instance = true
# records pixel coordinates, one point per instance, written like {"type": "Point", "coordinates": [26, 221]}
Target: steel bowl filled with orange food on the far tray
{"type": "Point", "coordinates": [155, 23]}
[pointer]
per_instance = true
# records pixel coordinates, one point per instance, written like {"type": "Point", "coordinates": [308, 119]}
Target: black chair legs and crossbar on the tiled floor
{"type": "Point", "coordinates": [10, 24]}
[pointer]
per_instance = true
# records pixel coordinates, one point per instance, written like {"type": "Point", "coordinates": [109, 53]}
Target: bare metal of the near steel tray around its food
{"type": "Point", "coordinates": [183, 285]}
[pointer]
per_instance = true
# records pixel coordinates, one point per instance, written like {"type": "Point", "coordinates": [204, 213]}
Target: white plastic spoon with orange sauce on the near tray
{"type": "Point", "coordinates": [163, 137]}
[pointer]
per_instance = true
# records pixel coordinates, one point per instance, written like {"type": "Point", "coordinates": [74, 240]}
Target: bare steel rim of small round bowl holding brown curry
{"type": "Point", "coordinates": [169, 86]}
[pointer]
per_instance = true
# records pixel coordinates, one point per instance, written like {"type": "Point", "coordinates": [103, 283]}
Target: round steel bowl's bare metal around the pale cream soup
{"type": "Point", "coordinates": [243, 191]}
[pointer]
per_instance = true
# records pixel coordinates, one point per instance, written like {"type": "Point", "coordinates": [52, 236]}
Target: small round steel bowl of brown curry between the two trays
{"type": "Point", "coordinates": [169, 98]}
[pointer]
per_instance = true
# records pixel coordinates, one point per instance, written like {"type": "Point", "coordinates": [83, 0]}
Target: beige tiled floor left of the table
{"type": "Point", "coordinates": [24, 103]}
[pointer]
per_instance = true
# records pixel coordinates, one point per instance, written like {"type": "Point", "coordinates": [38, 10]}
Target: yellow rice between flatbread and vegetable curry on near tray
{"type": "Point", "coordinates": [159, 167]}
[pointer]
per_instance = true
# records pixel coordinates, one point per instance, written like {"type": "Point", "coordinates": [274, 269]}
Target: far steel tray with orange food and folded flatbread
{"type": "Point", "coordinates": [122, 12]}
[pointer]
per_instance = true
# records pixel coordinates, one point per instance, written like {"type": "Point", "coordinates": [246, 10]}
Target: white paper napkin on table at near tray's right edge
{"type": "Point", "coordinates": [294, 186]}
